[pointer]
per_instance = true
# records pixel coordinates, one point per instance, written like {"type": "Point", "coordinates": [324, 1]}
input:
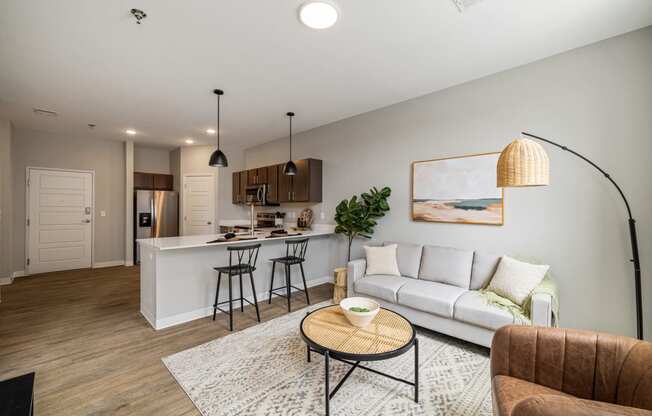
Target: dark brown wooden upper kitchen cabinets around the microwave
{"type": "Point", "coordinates": [305, 186]}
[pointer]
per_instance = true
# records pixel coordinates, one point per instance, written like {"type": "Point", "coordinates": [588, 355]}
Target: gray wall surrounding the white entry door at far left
{"type": "Point", "coordinates": [106, 157]}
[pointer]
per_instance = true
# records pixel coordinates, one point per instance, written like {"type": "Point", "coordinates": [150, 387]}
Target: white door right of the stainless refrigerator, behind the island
{"type": "Point", "coordinates": [198, 204]}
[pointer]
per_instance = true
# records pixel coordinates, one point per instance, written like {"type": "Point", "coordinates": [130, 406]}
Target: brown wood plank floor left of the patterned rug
{"type": "Point", "coordinates": [93, 353]}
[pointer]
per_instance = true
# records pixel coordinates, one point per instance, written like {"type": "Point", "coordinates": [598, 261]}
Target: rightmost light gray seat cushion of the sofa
{"type": "Point", "coordinates": [473, 309]}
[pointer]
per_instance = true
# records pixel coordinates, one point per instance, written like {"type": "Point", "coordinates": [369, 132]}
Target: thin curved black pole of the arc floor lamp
{"type": "Point", "coordinates": [632, 233]}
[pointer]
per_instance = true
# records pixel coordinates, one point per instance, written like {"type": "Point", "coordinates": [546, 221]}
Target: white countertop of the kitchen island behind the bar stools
{"type": "Point", "coordinates": [194, 241]}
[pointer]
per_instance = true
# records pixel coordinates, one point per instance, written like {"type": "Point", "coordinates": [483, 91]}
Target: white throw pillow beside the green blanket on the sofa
{"type": "Point", "coordinates": [515, 280]}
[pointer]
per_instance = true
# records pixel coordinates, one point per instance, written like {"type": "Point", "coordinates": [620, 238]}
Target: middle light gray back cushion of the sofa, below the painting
{"type": "Point", "coordinates": [446, 265]}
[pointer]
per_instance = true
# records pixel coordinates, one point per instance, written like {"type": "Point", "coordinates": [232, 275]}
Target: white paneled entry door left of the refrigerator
{"type": "Point", "coordinates": [59, 228]}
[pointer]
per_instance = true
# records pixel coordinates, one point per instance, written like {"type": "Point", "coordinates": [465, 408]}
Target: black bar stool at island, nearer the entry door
{"type": "Point", "coordinates": [242, 260]}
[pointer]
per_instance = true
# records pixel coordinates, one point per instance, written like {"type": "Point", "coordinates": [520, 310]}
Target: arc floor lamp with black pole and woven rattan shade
{"type": "Point", "coordinates": [524, 162]}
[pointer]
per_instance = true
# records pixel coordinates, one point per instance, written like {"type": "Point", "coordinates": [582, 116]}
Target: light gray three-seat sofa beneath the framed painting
{"type": "Point", "coordinates": [438, 288]}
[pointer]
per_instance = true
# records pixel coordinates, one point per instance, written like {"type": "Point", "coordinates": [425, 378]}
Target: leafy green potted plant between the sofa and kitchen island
{"type": "Point", "coordinates": [354, 218]}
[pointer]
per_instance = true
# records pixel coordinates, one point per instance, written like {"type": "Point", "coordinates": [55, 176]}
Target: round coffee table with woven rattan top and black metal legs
{"type": "Point", "coordinates": [327, 331]}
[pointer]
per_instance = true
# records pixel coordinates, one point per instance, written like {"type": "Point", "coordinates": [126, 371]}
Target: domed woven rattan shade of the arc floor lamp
{"type": "Point", "coordinates": [523, 163]}
